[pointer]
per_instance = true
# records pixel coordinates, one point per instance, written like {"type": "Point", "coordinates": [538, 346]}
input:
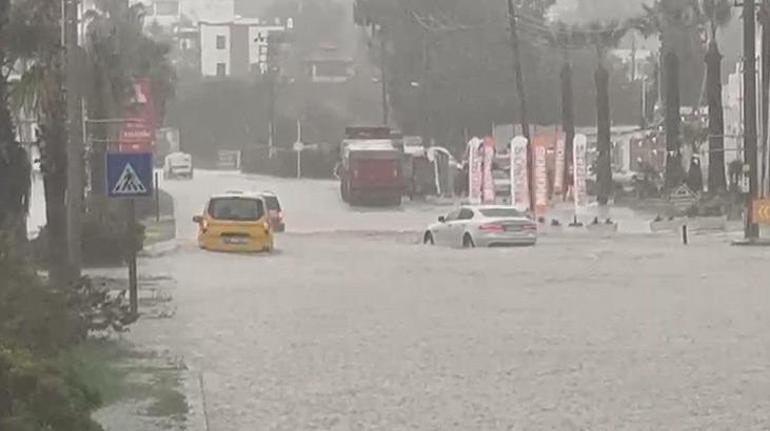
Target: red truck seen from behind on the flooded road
{"type": "Point", "coordinates": [370, 171]}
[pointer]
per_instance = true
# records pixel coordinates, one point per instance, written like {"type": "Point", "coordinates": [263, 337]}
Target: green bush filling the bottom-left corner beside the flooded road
{"type": "Point", "coordinates": [38, 324]}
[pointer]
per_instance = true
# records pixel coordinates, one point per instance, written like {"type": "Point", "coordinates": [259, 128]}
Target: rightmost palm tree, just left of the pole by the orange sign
{"type": "Point", "coordinates": [717, 14]}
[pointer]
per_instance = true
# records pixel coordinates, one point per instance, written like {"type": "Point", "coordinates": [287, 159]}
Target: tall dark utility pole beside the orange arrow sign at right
{"type": "Point", "coordinates": [751, 230]}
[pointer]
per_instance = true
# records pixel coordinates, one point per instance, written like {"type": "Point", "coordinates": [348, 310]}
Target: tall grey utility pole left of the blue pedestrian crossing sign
{"type": "Point", "coordinates": [75, 148]}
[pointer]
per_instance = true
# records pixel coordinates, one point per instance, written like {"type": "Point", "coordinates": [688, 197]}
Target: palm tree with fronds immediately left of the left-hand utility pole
{"type": "Point", "coordinates": [34, 37]}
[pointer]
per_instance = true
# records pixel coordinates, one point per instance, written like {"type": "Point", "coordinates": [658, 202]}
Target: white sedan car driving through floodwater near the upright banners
{"type": "Point", "coordinates": [482, 226]}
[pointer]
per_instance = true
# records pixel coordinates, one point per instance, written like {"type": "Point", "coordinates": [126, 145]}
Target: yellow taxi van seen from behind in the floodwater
{"type": "Point", "coordinates": [235, 222]}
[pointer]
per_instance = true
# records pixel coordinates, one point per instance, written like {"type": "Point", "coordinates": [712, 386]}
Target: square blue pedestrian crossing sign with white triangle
{"type": "Point", "coordinates": [129, 175]}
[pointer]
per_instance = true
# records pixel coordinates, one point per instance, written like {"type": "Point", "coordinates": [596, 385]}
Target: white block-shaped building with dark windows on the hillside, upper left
{"type": "Point", "coordinates": [237, 48]}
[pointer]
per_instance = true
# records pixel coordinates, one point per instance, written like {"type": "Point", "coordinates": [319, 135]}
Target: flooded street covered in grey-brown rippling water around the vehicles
{"type": "Point", "coordinates": [350, 328]}
